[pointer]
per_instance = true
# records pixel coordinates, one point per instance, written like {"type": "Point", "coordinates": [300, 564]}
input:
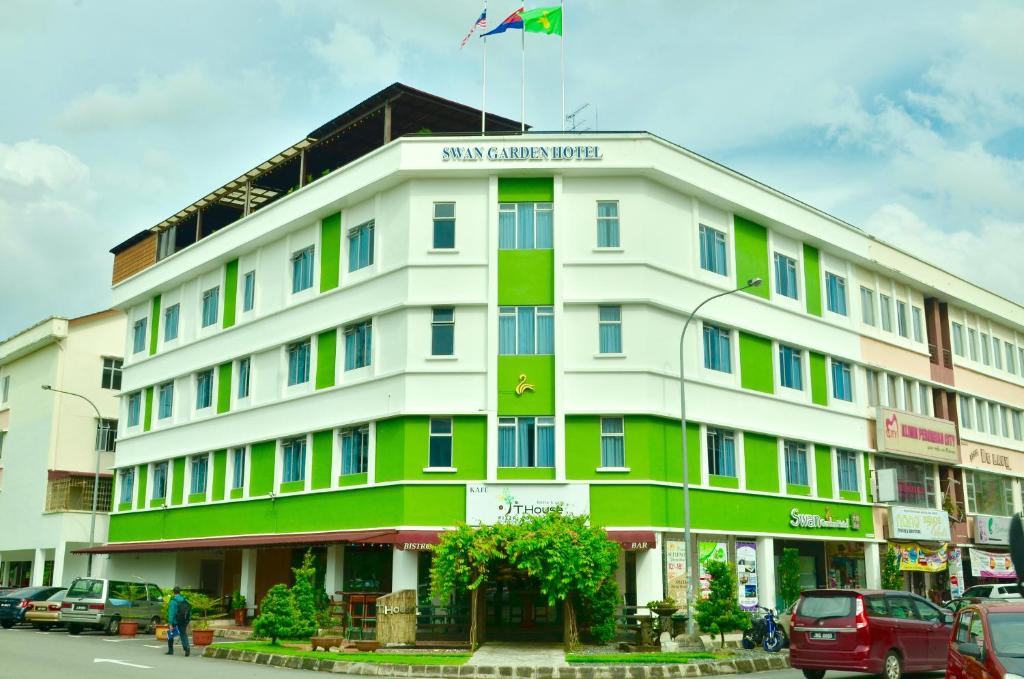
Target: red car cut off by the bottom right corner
{"type": "Point", "coordinates": [989, 643]}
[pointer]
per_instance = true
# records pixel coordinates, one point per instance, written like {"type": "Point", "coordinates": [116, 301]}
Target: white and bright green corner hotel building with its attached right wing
{"type": "Point", "coordinates": [450, 329]}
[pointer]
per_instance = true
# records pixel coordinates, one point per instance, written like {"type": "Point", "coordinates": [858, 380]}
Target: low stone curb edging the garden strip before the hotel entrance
{"type": "Point", "coordinates": [743, 666]}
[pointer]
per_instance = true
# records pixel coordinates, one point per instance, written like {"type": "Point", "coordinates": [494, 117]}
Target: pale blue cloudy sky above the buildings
{"type": "Point", "coordinates": [906, 119]}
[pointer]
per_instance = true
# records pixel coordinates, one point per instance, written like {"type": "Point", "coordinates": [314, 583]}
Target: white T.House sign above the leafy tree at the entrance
{"type": "Point", "coordinates": [494, 503]}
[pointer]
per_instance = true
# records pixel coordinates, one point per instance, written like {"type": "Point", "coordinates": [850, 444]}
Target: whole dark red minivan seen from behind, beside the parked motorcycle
{"type": "Point", "coordinates": [878, 632]}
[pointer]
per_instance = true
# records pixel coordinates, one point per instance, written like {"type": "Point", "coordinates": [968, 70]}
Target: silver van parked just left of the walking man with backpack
{"type": "Point", "coordinates": [99, 604]}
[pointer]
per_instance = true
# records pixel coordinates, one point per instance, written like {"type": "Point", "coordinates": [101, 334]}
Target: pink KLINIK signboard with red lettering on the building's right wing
{"type": "Point", "coordinates": [916, 436]}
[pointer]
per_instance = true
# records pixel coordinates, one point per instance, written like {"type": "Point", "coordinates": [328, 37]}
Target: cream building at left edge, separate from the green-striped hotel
{"type": "Point", "coordinates": [50, 444]}
